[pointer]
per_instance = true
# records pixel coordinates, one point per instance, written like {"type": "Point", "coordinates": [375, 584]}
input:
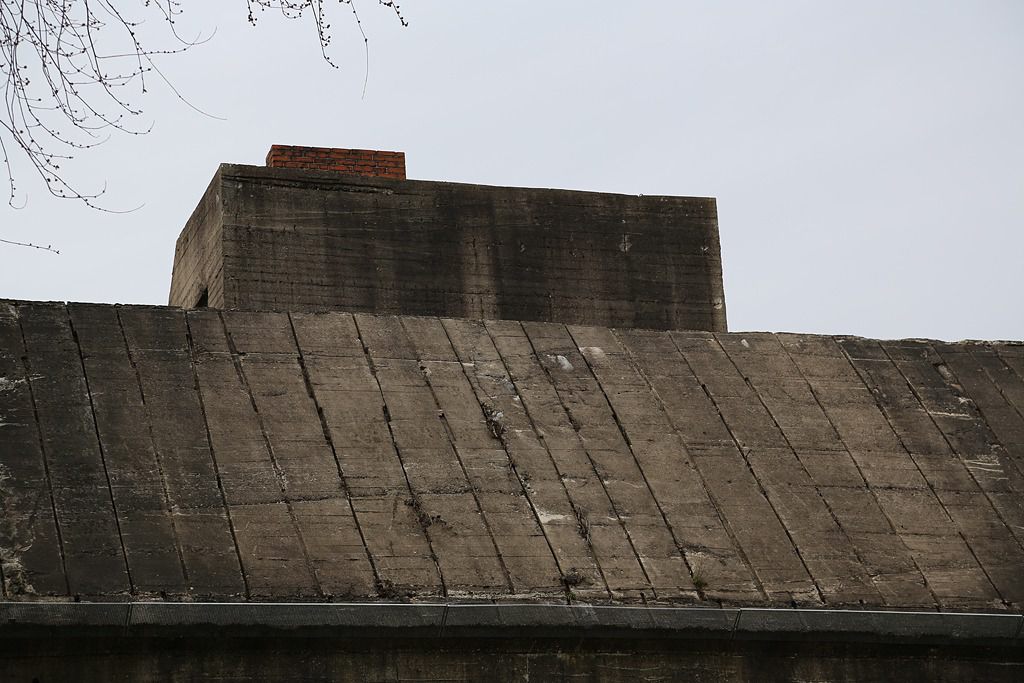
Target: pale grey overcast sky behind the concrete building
{"type": "Point", "coordinates": [868, 158]}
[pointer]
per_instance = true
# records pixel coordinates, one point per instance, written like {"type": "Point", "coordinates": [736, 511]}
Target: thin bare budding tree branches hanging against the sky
{"type": "Point", "coordinates": [73, 71]}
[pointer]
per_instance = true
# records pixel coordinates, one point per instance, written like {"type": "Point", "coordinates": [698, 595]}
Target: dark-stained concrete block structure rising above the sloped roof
{"type": "Point", "coordinates": [273, 239]}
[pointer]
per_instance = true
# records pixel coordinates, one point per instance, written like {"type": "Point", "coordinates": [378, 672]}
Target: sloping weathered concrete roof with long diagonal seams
{"type": "Point", "coordinates": [151, 453]}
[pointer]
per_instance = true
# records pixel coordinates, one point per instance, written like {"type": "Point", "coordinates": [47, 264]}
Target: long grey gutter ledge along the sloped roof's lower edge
{"type": "Point", "coordinates": [368, 621]}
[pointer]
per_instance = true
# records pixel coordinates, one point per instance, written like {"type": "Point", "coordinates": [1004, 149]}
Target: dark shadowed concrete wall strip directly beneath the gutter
{"type": "Point", "coordinates": [326, 660]}
